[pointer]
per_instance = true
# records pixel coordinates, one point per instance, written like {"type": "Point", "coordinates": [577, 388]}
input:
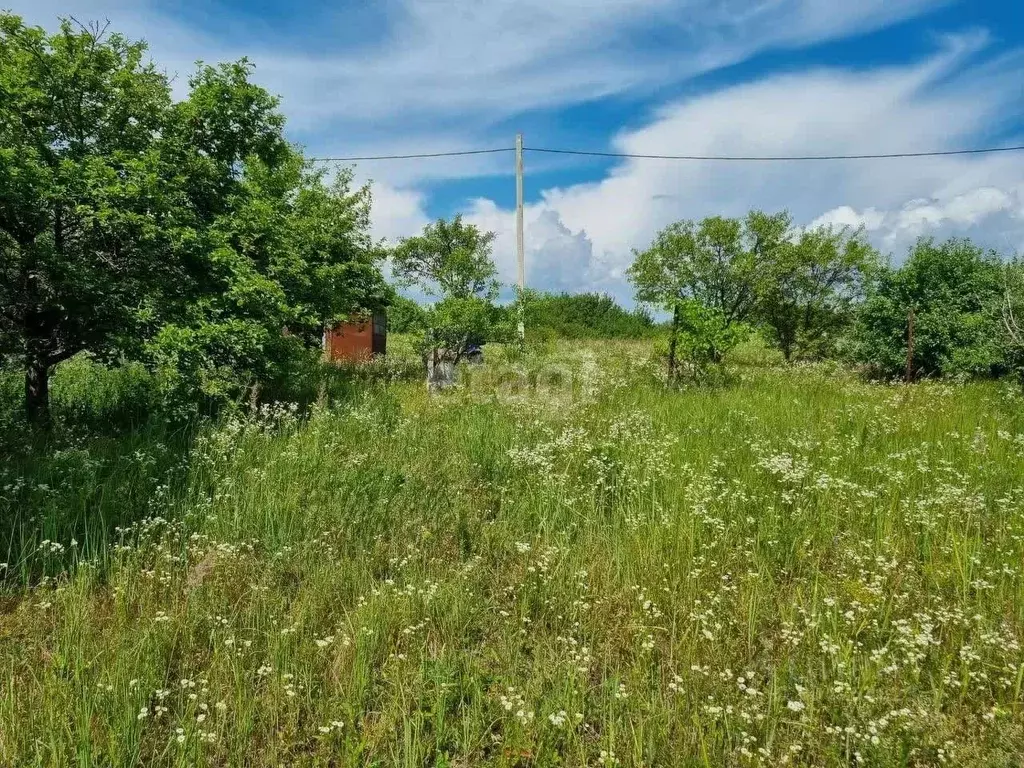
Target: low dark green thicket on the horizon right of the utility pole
{"type": "Point", "coordinates": [586, 316]}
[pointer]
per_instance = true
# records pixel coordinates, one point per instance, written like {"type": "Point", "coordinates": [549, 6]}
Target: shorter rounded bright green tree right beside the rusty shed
{"type": "Point", "coordinates": [296, 255]}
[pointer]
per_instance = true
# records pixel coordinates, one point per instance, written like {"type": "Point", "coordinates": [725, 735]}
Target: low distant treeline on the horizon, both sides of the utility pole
{"type": "Point", "coordinates": [549, 316]}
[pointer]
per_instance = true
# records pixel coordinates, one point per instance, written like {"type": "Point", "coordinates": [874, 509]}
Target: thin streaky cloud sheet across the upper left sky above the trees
{"type": "Point", "coordinates": [455, 69]}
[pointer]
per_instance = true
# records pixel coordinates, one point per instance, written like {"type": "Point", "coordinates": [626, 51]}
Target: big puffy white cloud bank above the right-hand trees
{"type": "Point", "coordinates": [937, 104]}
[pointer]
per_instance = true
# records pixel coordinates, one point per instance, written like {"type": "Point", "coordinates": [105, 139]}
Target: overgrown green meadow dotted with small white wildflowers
{"type": "Point", "coordinates": [562, 564]}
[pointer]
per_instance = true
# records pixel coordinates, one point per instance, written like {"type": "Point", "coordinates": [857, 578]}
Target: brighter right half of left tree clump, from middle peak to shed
{"type": "Point", "coordinates": [280, 246]}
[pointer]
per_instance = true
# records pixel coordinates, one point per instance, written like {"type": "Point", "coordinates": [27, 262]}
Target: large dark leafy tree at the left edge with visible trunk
{"type": "Point", "coordinates": [81, 200]}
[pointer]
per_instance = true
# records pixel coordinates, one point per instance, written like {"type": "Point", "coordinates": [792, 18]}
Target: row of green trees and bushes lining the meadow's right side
{"type": "Point", "coordinates": [952, 309]}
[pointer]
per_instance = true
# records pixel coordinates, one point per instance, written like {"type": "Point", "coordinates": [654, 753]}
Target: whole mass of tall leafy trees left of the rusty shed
{"type": "Point", "coordinates": [190, 235]}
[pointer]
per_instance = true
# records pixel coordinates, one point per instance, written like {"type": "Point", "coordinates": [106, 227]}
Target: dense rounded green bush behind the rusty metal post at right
{"type": "Point", "coordinates": [955, 290]}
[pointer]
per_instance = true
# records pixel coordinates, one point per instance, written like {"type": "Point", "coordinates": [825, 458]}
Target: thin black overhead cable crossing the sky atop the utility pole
{"type": "Point", "coordinates": [713, 158]}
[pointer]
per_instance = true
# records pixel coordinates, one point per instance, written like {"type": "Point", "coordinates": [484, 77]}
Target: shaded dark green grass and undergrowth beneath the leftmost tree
{"type": "Point", "coordinates": [107, 462]}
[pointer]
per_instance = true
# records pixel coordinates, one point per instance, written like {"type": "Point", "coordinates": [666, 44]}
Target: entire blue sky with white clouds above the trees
{"type": "Point", "coordinates": [749, 77]}
